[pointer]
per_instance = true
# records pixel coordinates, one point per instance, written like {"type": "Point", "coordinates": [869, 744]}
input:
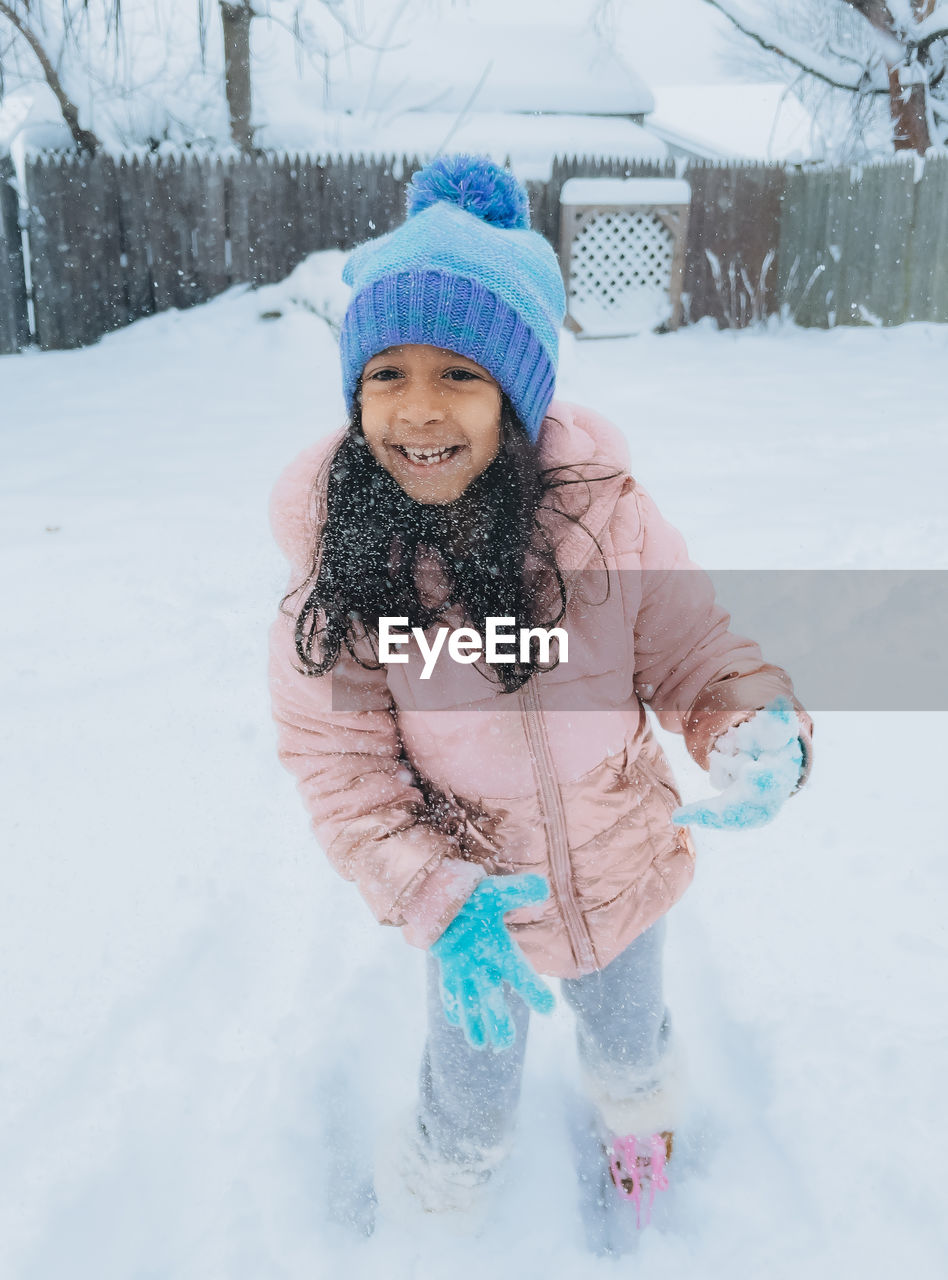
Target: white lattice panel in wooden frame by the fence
{"type": "Point", "coordinates": [621, 267]}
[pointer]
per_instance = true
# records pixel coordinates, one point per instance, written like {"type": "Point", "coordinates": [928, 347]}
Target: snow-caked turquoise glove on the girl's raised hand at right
{"type": "Point", "coordinates": [757, 765]}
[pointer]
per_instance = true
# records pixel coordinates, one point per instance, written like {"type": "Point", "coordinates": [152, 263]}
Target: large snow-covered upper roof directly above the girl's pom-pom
{"type": "Point", "coordinates": [465, 62]}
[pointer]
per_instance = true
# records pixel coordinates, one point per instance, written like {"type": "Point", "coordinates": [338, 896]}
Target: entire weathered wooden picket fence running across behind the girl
{"type": "Point", "coordinates": [112, 241]}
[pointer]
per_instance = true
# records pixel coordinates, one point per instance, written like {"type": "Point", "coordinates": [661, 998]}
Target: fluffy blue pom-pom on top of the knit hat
{"type": "Point", "coordinates": [475, 185]}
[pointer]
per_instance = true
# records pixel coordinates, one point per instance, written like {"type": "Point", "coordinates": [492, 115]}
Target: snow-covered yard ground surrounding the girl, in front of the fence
{"type": "Point", "coordinates": [201, 1028]}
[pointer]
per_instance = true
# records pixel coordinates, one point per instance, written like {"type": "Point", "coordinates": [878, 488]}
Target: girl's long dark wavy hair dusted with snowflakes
{"type": "Point", "coordinates": [496, 556]}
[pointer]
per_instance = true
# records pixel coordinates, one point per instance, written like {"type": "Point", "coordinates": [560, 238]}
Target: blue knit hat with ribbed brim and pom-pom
{"type": "Point", "coordinates": [466, 273]}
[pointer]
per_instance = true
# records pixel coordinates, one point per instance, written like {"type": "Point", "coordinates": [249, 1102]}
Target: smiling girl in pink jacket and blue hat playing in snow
{"type": "Point", "coordinates": [507, 807]}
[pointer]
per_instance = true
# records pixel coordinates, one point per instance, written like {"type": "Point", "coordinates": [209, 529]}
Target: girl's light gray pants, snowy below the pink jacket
{"type": "Point", "coordinates": [469, 1098]}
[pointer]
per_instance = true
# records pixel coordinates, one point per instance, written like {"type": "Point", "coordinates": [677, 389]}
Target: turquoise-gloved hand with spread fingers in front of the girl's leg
{"type": "Point", "coordinates": [478, 957]}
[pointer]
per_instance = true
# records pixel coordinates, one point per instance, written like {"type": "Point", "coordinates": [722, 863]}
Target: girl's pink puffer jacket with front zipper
{"type": "Point", "coordinates": [419, 789]}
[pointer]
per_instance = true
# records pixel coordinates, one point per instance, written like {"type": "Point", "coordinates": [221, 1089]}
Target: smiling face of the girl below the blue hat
{"type": "Point", "coordinates": [432, 418]}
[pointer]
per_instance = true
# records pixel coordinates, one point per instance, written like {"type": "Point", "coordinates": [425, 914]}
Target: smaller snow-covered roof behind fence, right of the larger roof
{"type": "Point", "coordinates": [758, 122]}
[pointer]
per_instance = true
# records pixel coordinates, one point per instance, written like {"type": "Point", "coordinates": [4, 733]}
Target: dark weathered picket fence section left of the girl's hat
{"type": "Point", "coordinates": [112, 241]}
